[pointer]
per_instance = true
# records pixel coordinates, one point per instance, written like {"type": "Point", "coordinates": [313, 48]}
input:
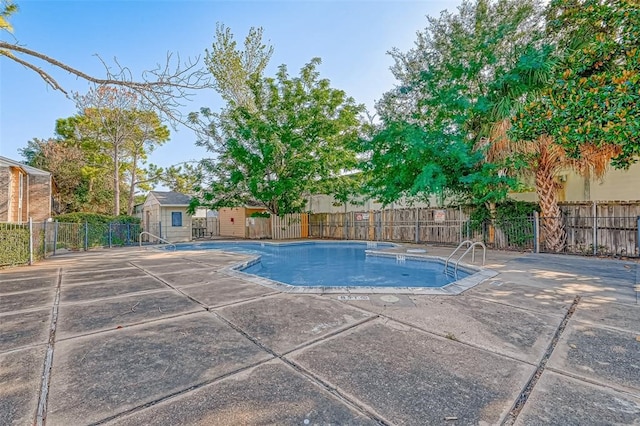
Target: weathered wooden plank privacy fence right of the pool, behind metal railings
{"type": "Point", "coordinates": [591, 228]}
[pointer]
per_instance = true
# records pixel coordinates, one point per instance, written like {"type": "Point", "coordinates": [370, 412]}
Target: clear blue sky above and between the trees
{"type": "Point", "coordinates": [351, 37]}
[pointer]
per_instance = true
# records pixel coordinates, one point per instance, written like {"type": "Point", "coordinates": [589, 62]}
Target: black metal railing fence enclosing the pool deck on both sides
{"type": "Point", "coordinates": [585, 235]}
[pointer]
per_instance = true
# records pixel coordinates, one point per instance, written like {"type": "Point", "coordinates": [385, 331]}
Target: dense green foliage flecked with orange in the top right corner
{"type": "Point", "coordinates": [592, 101]}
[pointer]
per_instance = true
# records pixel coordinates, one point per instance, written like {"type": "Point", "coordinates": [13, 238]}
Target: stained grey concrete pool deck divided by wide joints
{"type": "Point", "coordinates": [131, 336]}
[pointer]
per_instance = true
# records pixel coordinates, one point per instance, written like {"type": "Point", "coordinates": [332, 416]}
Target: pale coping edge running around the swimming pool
{"type": "Point", "coordinates": [478, 275]}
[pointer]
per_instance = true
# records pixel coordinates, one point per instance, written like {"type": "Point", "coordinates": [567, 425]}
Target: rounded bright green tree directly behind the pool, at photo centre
{"type": "Point", "coordinates": [300, 133]}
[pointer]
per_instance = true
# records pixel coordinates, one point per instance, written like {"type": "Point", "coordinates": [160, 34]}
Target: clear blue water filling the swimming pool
{"type": "Point", "coordinates": [334, 265]}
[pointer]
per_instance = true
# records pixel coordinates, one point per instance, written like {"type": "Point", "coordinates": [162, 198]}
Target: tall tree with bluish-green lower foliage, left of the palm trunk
{"type": "Point", "coordinates": [437, 122]}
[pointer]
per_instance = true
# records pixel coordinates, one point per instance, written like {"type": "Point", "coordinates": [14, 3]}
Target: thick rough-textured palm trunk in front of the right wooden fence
{"type": "Point", "coordinates": [553, 233]}
